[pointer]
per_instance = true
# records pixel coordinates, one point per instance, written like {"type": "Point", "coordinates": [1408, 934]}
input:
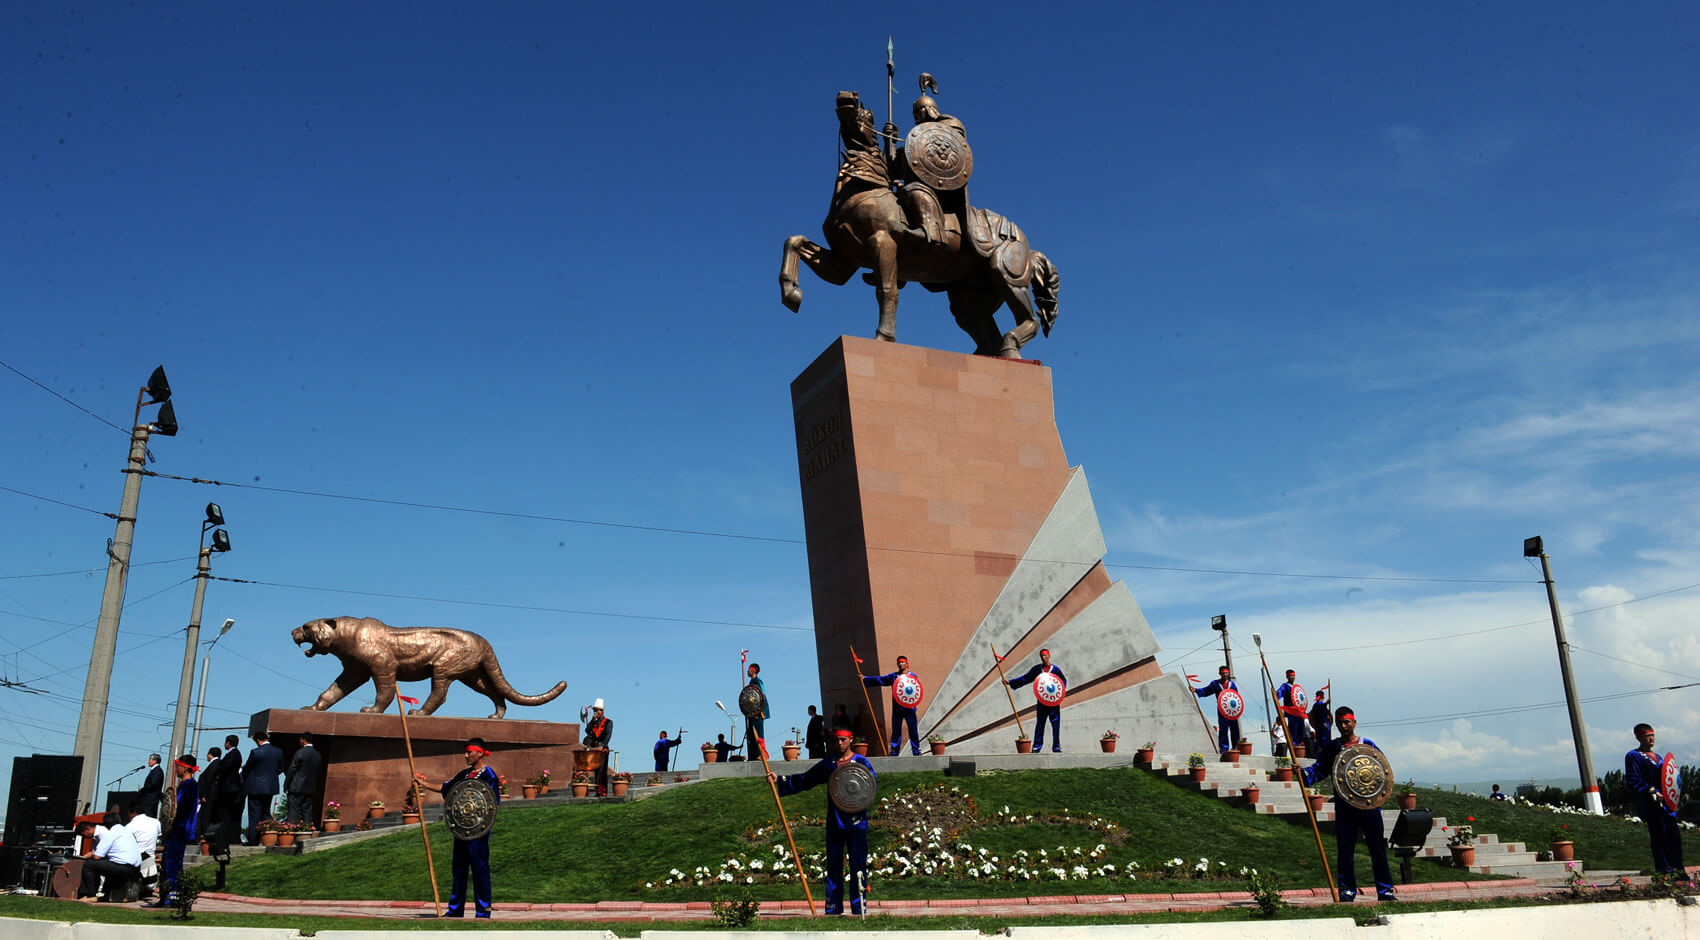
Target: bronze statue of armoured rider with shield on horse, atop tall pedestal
{"type": "Point", "coordinates": [924, 232]}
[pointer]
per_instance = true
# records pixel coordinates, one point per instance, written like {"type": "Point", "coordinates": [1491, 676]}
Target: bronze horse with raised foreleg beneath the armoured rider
{"type": "Point", "coordinates": [987, 268]}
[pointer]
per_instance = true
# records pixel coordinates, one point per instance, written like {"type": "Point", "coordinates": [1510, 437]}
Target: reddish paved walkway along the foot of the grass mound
{"type": "Point", "coordinates": [1079, 905]}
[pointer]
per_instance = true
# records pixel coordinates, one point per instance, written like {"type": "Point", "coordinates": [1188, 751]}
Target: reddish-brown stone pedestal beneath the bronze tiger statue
{"type": "Point", "coordinates": [366, 757]}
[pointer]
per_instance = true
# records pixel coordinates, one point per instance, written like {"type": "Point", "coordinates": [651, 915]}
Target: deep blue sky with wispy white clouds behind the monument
{"type": "Point", "coordinates": [1346, 292]}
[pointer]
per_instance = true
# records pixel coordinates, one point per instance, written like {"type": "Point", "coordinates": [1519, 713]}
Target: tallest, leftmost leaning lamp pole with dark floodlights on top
{"type": "Point", "coordinates": [91, 723]}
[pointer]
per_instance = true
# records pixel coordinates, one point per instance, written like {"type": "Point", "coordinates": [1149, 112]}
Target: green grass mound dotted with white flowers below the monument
{"type": "Point", "coordinates": [1002, 835]}
